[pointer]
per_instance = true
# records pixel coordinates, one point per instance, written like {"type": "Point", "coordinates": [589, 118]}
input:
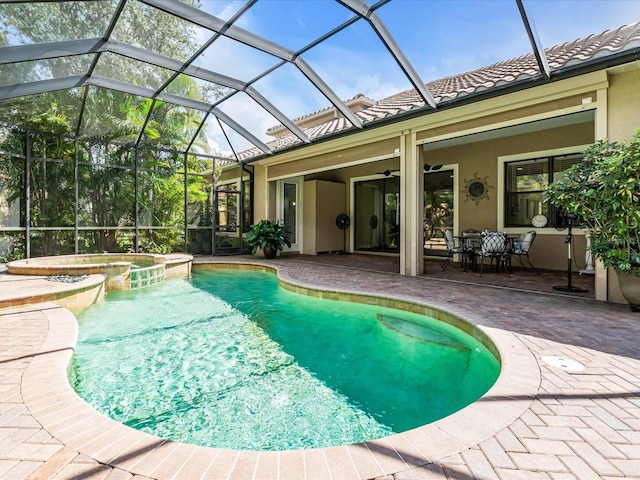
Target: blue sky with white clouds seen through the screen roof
{"type": "Point", "coordinates": [439, 37]}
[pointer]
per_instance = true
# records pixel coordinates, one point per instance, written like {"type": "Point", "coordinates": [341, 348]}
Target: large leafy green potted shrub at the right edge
{"type": "Point", "coordinates": [604, 190]}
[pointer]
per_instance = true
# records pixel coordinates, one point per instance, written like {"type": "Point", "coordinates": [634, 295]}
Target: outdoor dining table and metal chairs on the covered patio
{"type": "Point", "coordinates": [474, 247]}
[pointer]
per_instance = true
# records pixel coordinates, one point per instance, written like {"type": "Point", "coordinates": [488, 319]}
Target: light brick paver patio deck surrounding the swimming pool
{"type": "Point", "coordinates": [564, 424]}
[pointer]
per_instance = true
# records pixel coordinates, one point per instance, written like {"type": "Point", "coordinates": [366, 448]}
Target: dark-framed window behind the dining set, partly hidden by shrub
{"type": "Point", "coordinates": [525, 180]}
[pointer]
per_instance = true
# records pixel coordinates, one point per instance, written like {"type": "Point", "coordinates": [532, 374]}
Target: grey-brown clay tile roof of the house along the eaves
{"type": "Point", "coordinates": [560, 58]}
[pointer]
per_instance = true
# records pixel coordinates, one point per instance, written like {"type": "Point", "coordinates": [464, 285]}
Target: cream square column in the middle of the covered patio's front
{"type": "Point", "coordinates": [411, 207]}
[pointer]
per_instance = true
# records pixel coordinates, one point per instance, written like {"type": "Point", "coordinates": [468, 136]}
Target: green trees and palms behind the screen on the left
{"type": "Point", "coordinates": [105, 174]}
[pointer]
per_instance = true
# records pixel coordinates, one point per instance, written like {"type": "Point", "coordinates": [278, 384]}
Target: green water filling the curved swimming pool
{"type": "Point", "coordinates": [228, 359]}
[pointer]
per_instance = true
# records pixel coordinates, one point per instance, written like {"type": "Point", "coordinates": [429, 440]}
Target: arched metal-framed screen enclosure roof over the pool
{"type": "Point", "coordinates": [232, 69]}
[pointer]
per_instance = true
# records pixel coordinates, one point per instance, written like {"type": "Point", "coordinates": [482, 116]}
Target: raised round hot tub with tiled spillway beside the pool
{"type": "Point", "coordinates": [123, 271]}
